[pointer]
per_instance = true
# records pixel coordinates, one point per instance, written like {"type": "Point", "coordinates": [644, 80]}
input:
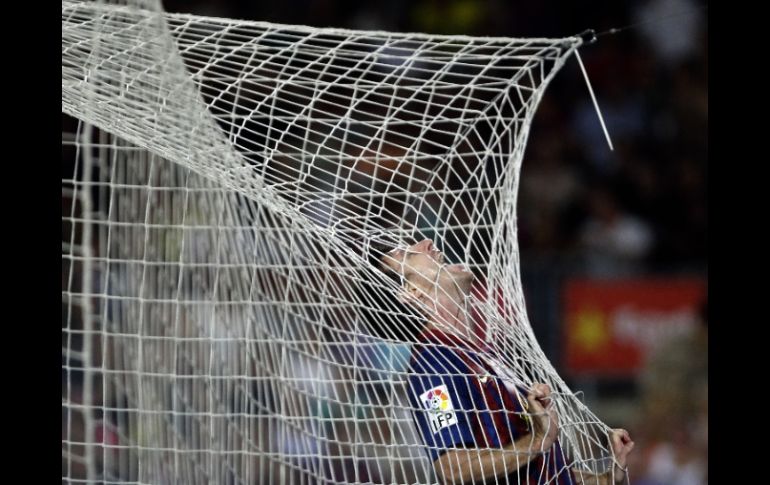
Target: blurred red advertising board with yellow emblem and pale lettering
{"type": "Point", "coordinates": [611, 327]}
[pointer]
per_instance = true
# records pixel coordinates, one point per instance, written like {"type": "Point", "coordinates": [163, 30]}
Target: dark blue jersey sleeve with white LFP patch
{"type": "Point", "coordinates": [441, 399]}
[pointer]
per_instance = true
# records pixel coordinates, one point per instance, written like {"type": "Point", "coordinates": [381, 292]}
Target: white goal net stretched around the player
{"type": "Point", "coordinates": [222, 320]}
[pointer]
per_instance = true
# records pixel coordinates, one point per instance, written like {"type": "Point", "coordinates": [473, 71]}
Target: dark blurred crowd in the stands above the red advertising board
{"type": "Point", "coordinates": [639, 208]}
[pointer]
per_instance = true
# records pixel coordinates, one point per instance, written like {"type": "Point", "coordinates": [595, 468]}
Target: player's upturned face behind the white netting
{"type": "Point", "coordinates": [422, 266]}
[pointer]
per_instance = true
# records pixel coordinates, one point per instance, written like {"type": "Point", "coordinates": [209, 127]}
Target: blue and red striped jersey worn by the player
{"type": "Point", "coordinates": [459, 400]}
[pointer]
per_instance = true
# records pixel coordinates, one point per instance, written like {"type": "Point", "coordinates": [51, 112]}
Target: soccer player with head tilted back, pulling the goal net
{"type": "Point", "coordinates": [478, 425]}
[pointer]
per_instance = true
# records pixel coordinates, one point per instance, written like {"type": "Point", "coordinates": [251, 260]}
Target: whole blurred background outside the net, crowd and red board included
{"type": "Point", "coordinates": [613, 243]}
